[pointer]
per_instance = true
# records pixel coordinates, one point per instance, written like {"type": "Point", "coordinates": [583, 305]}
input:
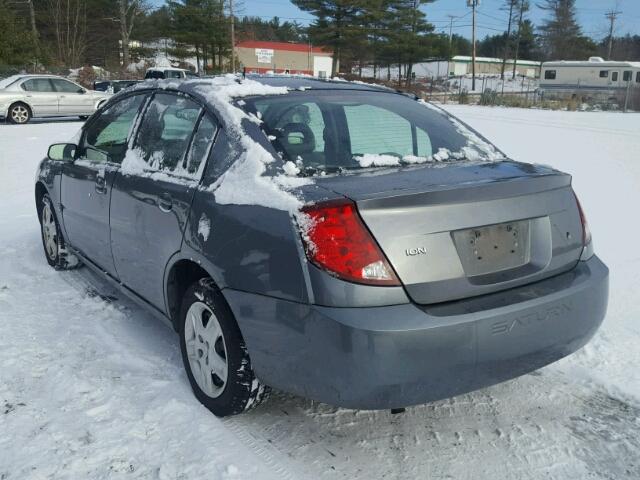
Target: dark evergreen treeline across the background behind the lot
{"type": "Point", "coordinates": [375, 33]}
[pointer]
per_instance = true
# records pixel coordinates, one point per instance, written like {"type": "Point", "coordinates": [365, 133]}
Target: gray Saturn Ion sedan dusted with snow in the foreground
{"type": "Point", "coordinates": [338, 241]}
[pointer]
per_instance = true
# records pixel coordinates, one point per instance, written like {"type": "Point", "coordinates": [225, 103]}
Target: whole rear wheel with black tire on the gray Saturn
{"type": "Point", "coordinates": [214, 353]}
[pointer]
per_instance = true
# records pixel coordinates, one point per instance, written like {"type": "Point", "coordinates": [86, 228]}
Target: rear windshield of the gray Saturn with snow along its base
{"type": "Point", "coordinates": [330, 130]}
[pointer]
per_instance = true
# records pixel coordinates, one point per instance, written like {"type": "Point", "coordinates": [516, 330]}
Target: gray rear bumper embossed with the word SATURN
{"type": "Point", "coordinates": [401, 355]}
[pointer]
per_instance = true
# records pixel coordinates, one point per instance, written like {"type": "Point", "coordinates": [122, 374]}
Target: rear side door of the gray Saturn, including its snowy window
{"type": "Point", "coordinates": [152, 193]}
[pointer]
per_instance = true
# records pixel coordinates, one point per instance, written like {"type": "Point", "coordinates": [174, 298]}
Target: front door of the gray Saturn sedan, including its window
{"type": "Point", "coordinates": [86, 183]}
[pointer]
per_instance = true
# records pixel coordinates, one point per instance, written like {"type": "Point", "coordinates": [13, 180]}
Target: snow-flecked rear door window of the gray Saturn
{"type": "Point", "coordinates": [165, 132]}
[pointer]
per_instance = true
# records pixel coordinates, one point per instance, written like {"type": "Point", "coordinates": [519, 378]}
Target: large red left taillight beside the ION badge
{"type": "Point", "coordinates": [336, 240]}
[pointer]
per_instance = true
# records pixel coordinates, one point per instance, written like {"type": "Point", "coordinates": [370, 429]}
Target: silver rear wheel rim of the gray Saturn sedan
{"type": "Point", "coordinates": [206, 349]}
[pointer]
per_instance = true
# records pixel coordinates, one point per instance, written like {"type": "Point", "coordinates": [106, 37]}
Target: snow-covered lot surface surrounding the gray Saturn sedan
{"type": "Point", "coordinates": [91, 387]}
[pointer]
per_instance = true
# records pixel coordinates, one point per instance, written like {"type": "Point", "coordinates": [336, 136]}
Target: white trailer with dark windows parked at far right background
{"type": "Point", "coordinates": [595, 76]}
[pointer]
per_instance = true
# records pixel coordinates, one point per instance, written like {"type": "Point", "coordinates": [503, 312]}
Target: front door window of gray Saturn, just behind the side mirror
{"type": "Point", "coordinates": [109, 132]}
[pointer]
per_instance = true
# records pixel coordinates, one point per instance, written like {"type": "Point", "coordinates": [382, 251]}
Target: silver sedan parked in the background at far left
{"type": "Point", "coordinates": [23, 97]}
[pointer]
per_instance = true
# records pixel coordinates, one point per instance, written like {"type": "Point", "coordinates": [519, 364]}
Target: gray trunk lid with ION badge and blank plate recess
{"type": "Point", "coordinates": [461, 230]}
